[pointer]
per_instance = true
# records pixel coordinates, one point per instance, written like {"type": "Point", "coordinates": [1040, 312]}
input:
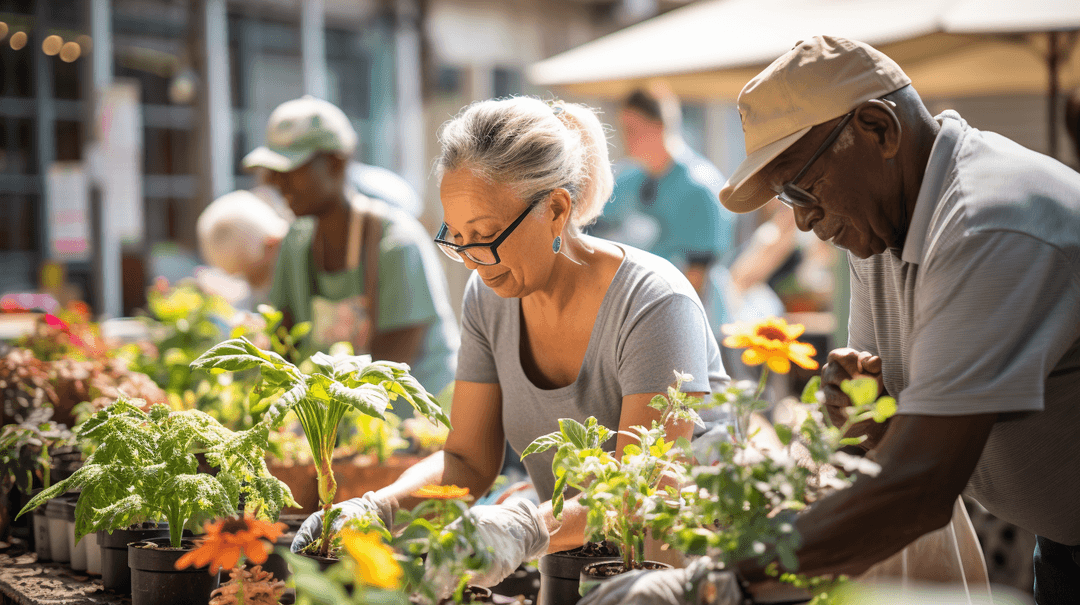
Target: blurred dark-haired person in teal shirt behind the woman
{"type": "Point", "coordinates": [666, 198]}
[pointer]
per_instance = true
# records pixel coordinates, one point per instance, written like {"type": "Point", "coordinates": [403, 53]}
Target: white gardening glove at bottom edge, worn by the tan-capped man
{"type": "Point", "coordinates": [669, 587]}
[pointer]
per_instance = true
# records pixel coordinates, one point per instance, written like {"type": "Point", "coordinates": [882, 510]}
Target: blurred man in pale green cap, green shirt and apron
{"type": "Point", "coordinates": [359, 270]}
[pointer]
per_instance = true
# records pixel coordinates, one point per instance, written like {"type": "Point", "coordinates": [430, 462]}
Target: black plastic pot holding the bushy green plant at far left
{"type": "Point", "coordinates": [157, 582]}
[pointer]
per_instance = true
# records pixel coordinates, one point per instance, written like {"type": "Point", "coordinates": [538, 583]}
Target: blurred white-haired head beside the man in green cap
{"type": "Point", "coordinates": [240, 234]}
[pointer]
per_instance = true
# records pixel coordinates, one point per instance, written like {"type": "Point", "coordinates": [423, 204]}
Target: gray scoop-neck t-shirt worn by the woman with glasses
{"type": "Point", "coordinates": [650, 325]}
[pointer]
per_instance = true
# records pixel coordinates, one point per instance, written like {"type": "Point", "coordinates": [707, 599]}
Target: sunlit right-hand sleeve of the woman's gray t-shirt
{"type": "Point", "coordinates": [668, 335]}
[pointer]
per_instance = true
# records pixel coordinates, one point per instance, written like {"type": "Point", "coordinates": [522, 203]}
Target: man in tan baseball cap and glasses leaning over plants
{"type": "Point", "coordinates": [965, 263]}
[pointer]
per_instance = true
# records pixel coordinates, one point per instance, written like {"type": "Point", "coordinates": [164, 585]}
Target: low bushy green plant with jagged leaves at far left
{"type": "Point", "coordinates": [145, 468]}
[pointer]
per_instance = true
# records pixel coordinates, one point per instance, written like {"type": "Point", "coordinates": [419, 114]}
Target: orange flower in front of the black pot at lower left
{"type": "Point", "coordinates": [227, 540]}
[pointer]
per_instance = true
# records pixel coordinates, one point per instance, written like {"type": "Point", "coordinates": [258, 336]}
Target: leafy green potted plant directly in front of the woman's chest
{"type": "Point", "coordinates": [623, 492]}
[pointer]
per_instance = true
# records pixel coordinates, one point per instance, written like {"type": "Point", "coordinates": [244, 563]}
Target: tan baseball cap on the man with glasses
{"type": "Point", "coordinates": [820, 79]}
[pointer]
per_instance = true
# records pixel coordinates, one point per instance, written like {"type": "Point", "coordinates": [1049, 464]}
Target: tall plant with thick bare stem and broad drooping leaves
{"type": "Point", "coordinates": [321, 398]}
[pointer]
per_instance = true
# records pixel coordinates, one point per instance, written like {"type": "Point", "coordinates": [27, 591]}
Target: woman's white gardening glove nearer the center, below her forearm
{"type": "Point", "coordinates": [514, 533]}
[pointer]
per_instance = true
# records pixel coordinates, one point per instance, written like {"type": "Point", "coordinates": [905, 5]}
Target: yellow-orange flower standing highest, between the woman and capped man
{"type": "Point", "coordinates": [772, 342]}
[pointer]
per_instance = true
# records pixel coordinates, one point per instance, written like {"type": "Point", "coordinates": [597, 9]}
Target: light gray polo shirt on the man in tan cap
{"type": "Point", "coordinates": [981, 314]}
